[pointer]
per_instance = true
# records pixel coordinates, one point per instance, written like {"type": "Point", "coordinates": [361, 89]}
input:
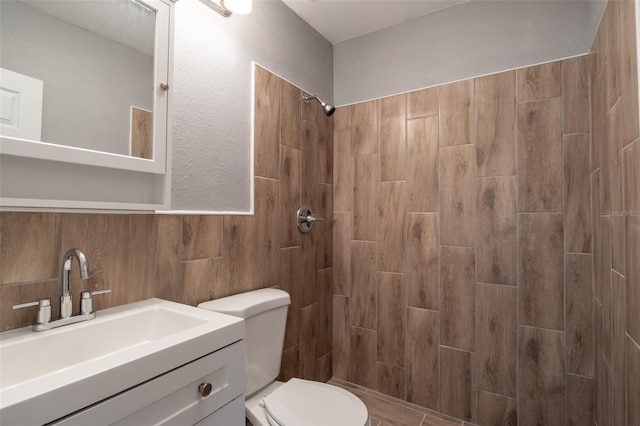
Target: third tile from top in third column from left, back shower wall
{"type": "Point", "coordinates": [391, 318]}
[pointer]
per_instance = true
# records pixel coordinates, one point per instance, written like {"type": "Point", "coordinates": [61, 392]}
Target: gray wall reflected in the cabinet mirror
{"type": "Point", "coordinates": [90, 82]}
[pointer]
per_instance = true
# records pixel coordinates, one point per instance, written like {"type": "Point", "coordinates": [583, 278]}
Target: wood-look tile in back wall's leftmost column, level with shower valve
{"type": "Point", "coordinates": [341, 253]}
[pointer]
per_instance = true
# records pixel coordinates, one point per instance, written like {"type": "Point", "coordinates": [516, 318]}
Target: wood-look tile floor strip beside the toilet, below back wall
{"type": "Point", "coordinates": [388, 411]}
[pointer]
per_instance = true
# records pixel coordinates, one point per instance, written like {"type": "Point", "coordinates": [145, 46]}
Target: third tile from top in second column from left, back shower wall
{"type": "Point", "coordinates": [363, 301]}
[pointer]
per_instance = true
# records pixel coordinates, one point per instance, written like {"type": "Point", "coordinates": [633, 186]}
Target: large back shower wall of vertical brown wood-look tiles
{"type": "Point", "coordinates": [462, 246]}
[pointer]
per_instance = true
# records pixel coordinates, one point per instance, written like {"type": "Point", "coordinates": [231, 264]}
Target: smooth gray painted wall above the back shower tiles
{"type": "Point", "coordinates": [460, 42]}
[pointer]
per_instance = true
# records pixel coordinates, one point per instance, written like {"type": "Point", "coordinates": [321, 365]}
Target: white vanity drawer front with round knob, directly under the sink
{"type": "Point", "coordinates": [173, 398]}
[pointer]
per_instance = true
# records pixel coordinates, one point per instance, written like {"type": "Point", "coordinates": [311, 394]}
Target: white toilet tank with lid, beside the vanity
{"type": "Point", "coordinates": [265, 315]}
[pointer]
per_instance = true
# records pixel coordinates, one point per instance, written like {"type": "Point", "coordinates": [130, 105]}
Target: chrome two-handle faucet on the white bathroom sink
{"type": "Point", "coordinates": [86, 303]}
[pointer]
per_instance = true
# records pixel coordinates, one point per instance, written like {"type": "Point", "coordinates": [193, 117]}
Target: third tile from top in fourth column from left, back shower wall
{"type": "Point", "coordinates": [423, 259]}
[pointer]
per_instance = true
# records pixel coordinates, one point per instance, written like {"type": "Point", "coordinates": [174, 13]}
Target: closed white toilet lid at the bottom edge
{"type": "Point", "coordinates": [302, 402]}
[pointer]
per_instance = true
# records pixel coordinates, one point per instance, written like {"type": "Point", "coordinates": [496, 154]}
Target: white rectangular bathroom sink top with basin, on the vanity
{"type": "Point", "coordinates": [59, 371]}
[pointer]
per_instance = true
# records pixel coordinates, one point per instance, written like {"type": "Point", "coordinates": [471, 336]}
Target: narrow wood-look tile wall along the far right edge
{"type": "Point", "coordinates": [615, 205]}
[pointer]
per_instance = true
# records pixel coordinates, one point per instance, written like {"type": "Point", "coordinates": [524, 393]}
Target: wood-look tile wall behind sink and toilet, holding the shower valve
{"type": "Point", "coordinates": [191, 259]}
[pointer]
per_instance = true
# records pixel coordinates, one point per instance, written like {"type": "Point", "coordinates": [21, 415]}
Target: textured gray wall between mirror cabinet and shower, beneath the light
{"type": "Point", "coordinates": [212, 147]}
